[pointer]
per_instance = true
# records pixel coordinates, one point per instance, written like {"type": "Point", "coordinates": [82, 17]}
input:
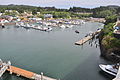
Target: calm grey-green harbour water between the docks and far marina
{"type": "Point", "coordinates": [53, 53]}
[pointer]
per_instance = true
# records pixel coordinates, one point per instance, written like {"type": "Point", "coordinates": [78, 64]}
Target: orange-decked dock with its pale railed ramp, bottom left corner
{"type": "Point", "coordinates": [6, 66]}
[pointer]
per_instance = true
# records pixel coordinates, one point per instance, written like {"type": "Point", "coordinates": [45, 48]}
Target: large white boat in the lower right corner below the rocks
{"type": "Point", "coordinates": [111, 69]}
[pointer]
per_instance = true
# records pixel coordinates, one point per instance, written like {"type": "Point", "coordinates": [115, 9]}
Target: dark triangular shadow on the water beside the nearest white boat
{"type": "Point", "coordinates": [89, 70]}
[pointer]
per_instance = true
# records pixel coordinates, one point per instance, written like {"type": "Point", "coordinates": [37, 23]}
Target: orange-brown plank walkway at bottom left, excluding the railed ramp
{"type": "Point", "coordinates": [27, 74]}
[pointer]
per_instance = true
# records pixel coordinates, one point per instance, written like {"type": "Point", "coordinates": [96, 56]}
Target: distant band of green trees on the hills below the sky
{"type": "Point", "coordinates": [75, 12]}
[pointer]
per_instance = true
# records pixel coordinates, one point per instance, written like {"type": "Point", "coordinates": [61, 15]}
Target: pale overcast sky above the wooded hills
{"type": "Point", "coordinates": [63, 3]}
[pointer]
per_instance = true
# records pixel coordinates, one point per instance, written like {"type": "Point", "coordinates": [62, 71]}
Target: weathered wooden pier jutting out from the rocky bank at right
{"type": "Point", "coordinates": [89, 37]}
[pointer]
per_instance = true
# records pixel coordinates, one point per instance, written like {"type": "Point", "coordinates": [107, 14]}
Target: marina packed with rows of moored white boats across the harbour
{"type": "Point", "coordinates": [48, 25]}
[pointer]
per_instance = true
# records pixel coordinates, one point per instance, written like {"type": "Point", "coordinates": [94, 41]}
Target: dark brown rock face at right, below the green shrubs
{"type": "Point", "coordinates": [112, 54]}
